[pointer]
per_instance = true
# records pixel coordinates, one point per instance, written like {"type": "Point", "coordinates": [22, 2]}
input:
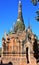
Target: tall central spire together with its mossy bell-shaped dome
{"type": "Point", "coordinates": [20, 22]}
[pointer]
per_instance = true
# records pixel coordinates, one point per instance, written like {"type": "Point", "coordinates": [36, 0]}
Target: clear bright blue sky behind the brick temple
{"type": "Point", "coordinates": [9, 14]}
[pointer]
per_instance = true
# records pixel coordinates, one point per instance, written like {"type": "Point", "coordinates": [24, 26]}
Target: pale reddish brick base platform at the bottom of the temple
{"type": "Point", "coordinates": [19, 59]}
